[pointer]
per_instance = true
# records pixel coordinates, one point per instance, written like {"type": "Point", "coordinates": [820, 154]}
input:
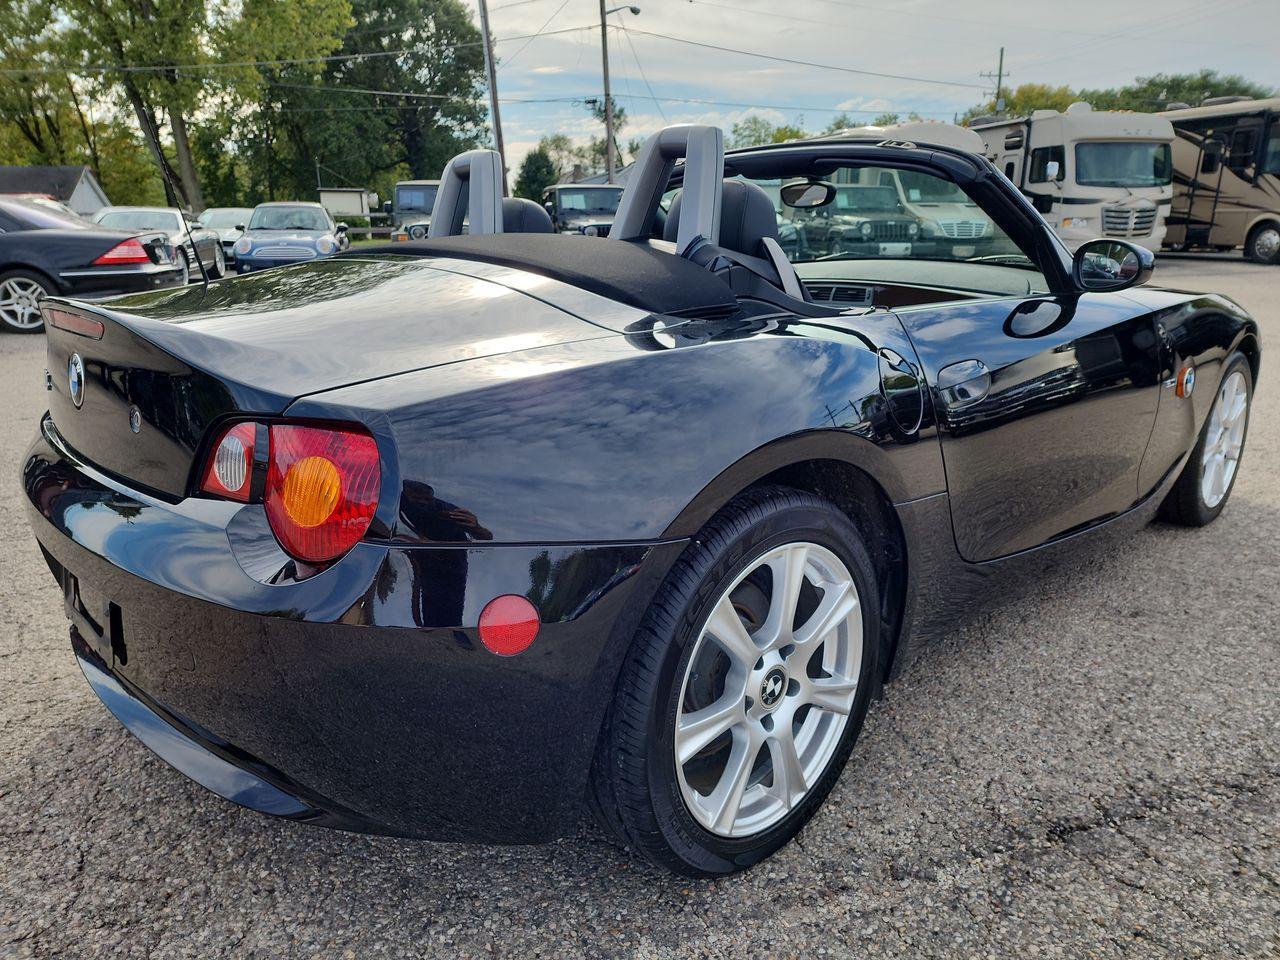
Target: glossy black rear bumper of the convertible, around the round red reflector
{"type": "Point", "coordinates": [359, 698]}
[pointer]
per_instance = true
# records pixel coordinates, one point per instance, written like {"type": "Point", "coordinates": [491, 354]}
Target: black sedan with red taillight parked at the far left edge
{"type": "Point", "coordinates": [48, 253]}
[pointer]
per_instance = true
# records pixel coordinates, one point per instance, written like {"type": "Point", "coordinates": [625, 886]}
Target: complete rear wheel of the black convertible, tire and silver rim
{"type": "Point", "coordinates": [746, 687]}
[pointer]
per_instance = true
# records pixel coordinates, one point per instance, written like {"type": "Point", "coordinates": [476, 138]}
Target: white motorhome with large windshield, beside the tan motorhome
{"type": "Point", "coordinates": [1090, 173]}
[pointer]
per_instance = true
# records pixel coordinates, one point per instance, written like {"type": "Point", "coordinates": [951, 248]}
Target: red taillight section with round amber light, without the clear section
{"type": "Point", "coordinates": [322, 490]}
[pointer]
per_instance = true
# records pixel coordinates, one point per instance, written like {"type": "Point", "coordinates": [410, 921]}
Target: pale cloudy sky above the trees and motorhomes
{"type": "Point", "coordinates": [936, 52]}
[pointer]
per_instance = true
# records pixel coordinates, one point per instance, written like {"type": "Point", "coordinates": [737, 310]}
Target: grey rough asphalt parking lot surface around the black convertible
{"type": "Point", "coordinates": [1091, 770]}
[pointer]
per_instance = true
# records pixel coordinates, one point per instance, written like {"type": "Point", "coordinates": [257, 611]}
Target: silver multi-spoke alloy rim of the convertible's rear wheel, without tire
{"type": "Point", "coordinates": [766, 700]}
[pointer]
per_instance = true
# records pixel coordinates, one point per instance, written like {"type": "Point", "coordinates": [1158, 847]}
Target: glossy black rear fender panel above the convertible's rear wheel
{"type": "Point", "coordinates": [612, 440]}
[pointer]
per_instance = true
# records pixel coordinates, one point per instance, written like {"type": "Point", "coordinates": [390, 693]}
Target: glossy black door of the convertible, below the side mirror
{"type": "Point", "coordinates": [1052, 438]}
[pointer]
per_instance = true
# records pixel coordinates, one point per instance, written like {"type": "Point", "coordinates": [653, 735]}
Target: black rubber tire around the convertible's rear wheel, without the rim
{"type": "Point", "coordinates": [636, 790]}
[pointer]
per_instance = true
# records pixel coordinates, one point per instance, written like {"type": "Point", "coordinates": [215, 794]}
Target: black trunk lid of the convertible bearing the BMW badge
{"type": "Point", "coordinates": [171, 364]}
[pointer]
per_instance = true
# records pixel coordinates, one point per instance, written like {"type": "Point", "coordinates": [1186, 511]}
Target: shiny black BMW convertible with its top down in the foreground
{"type": "Point", "coordinates": [459, 538]}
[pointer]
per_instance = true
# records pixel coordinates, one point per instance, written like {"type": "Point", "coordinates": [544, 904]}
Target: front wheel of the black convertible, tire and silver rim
{"type": "Point", "coordinates": [1206, 482]}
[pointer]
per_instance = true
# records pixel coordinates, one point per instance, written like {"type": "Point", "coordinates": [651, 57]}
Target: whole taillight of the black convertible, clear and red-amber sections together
{"type": "Point", "coordinates": [322, 483]}
